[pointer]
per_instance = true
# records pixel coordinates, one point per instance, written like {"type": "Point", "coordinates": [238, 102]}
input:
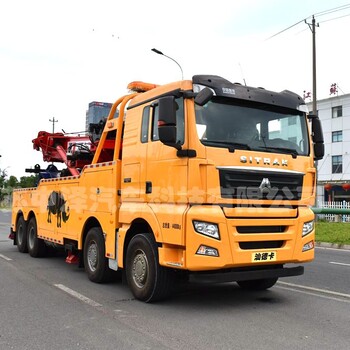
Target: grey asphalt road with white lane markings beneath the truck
{"type": "Point", "coordinates": [48, 304]}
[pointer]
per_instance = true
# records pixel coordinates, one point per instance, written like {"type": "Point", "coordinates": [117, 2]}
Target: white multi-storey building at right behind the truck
{"type": "Point", "coordinates": [334, 169]}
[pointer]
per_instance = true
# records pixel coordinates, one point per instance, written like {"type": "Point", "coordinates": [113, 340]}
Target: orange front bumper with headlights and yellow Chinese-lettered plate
{"type": "Point", "coordinates": [242, 242]}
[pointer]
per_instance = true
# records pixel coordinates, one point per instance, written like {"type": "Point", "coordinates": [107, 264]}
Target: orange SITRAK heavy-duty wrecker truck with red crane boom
{"type": "Point", "coordinates": [202, 178]}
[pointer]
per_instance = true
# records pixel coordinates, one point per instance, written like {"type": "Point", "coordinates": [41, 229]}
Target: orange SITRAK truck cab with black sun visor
{"type": "Point", "coordinates": [227, 172]}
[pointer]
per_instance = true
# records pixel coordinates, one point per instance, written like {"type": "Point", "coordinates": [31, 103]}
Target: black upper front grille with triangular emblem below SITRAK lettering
{"type": "Point", "coordinates": [243, 184]}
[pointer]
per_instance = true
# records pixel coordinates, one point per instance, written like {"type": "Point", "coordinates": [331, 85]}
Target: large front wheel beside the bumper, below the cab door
{"type": "Point", "coordinates": [147, 280]}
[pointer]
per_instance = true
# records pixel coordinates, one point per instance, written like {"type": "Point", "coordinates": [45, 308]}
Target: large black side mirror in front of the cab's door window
{"type": "Point", "coordinates": [167, 121]}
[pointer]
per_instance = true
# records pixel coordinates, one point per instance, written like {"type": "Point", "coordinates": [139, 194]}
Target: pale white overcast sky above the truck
{"type": "Point", "coordinates": [57, 56]}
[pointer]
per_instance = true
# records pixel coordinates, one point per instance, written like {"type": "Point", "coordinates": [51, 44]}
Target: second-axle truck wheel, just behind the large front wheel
{"type": "Point", "coordinates": [95, 262]}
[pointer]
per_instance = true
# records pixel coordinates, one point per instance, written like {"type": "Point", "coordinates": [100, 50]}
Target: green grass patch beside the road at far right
{"type": "Point", "coordinates": [333, 232]}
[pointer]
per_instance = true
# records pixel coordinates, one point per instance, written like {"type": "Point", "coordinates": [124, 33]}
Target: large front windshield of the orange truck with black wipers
{"type": "Point", "coordinates": [220, 123]}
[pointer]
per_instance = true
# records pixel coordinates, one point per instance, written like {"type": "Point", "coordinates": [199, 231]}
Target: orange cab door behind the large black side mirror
{"type": "Point", "coordinates": [167, 177]}
